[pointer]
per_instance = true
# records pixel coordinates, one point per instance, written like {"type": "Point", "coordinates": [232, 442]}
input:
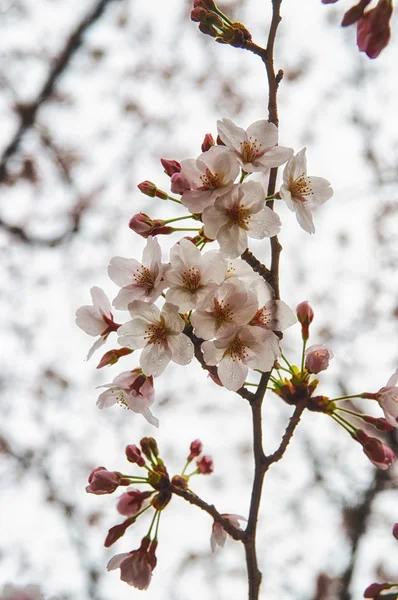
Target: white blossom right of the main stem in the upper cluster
{"type": "Point", "coordinates": [302, 192]}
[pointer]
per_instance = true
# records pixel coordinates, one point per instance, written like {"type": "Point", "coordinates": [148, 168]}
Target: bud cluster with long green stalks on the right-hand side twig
{"type": "Point", "coordinates": [300, 386]}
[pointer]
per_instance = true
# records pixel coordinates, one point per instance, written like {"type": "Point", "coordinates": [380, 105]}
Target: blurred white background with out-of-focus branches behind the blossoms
{"type": "Point", "coordinates": [91, 96]}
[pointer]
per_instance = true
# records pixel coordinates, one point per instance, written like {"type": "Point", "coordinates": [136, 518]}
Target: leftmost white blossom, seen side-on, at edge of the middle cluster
{"type": "Point", "coordinates": [97, 319]}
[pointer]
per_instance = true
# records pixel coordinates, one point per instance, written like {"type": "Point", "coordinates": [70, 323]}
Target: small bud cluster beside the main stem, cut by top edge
{"type": "Point", "coordinates": [214, 23]}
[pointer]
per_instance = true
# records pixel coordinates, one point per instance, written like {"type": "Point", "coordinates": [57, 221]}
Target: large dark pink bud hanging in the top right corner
{"type": "Point", "coordinates": [373, 29]}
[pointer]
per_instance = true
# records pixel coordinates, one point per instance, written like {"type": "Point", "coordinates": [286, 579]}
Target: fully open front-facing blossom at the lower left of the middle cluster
{"type": "Point", "coordinates": [159, 334]}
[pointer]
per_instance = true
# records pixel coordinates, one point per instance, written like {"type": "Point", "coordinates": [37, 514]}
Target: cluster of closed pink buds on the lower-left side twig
{"type": "Point", "coordinates": [136, 567]}
